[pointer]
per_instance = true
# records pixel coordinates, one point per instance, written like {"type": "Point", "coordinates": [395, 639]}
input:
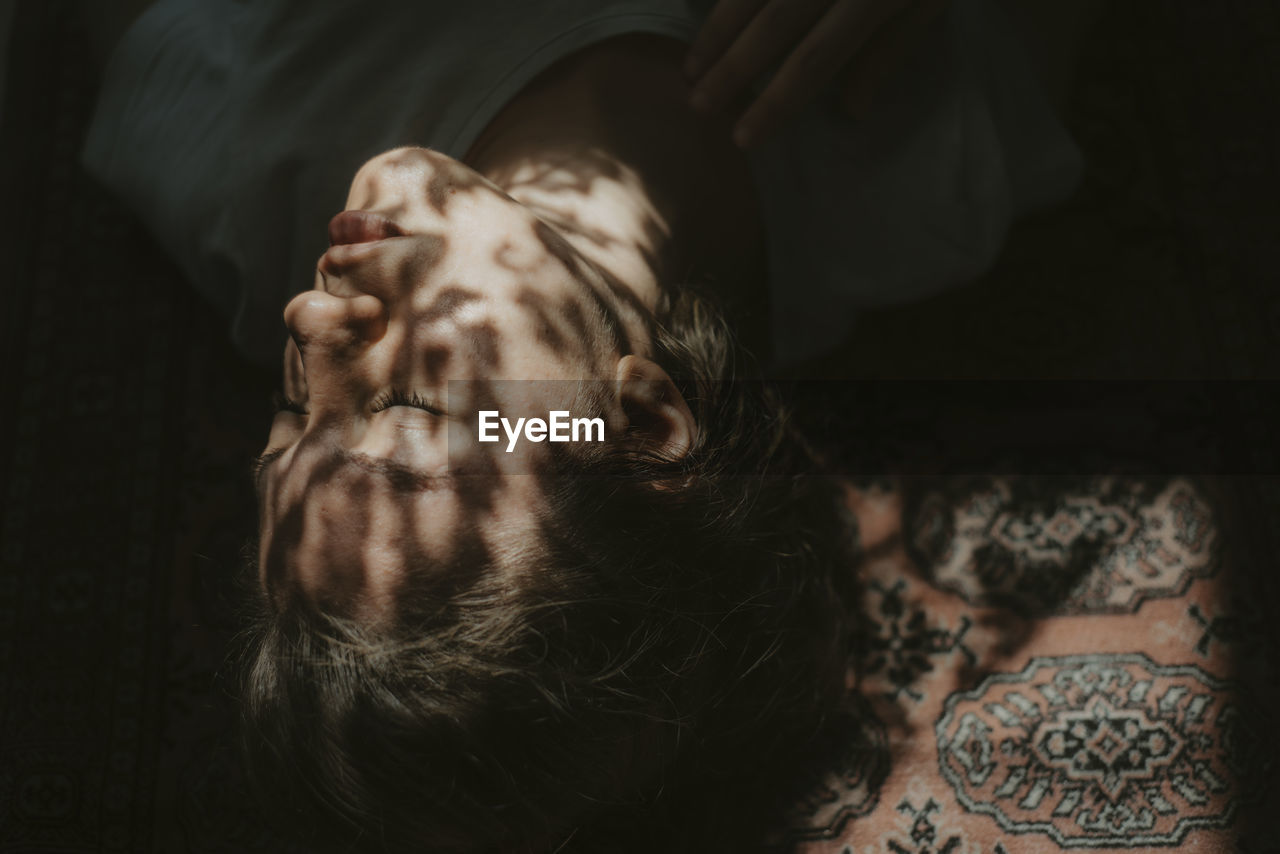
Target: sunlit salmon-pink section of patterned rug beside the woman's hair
{"type": "Point", "coordinates": [1050, 665]}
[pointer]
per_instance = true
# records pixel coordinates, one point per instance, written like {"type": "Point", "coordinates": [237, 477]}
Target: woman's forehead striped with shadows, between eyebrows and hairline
{"type": "Point", "coordinates": [354, 538]}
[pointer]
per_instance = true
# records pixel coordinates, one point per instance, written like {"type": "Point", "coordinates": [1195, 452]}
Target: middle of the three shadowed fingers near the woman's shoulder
{"type": "Point", "coordinates": [766, 40]}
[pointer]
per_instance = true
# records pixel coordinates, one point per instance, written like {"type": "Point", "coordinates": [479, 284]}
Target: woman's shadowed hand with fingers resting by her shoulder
{"type": "Point", "coordinates": [854, 43]}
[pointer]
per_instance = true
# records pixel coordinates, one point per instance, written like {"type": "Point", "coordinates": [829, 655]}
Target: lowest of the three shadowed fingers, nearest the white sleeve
{"type": "Point", "coordinates": [838, 36]}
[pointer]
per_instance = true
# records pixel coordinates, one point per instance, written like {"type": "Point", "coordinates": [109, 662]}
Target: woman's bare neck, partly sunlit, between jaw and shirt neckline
{"type": "Point", "coordinates": [605, 148]}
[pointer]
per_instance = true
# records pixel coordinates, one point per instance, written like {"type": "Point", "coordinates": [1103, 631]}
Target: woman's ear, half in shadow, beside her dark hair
{"type": "Point", "coordinates": [656, 412]}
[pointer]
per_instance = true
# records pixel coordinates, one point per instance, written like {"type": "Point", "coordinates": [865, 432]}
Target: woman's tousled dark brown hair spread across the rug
{"type": "Point", "coordinates": [644, 687]}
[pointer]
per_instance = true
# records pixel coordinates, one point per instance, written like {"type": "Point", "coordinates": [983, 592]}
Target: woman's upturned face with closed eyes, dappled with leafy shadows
{"type": "Point", "coordinates": [446, 278]}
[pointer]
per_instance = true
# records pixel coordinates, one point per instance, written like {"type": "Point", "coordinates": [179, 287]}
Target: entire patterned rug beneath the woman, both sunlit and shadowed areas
{"type": "Point", "coordinates": [1084, 664]}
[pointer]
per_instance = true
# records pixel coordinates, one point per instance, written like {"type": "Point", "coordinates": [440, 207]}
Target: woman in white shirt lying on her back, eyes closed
{"type": "Point", "coordinates": [456, 649]}
